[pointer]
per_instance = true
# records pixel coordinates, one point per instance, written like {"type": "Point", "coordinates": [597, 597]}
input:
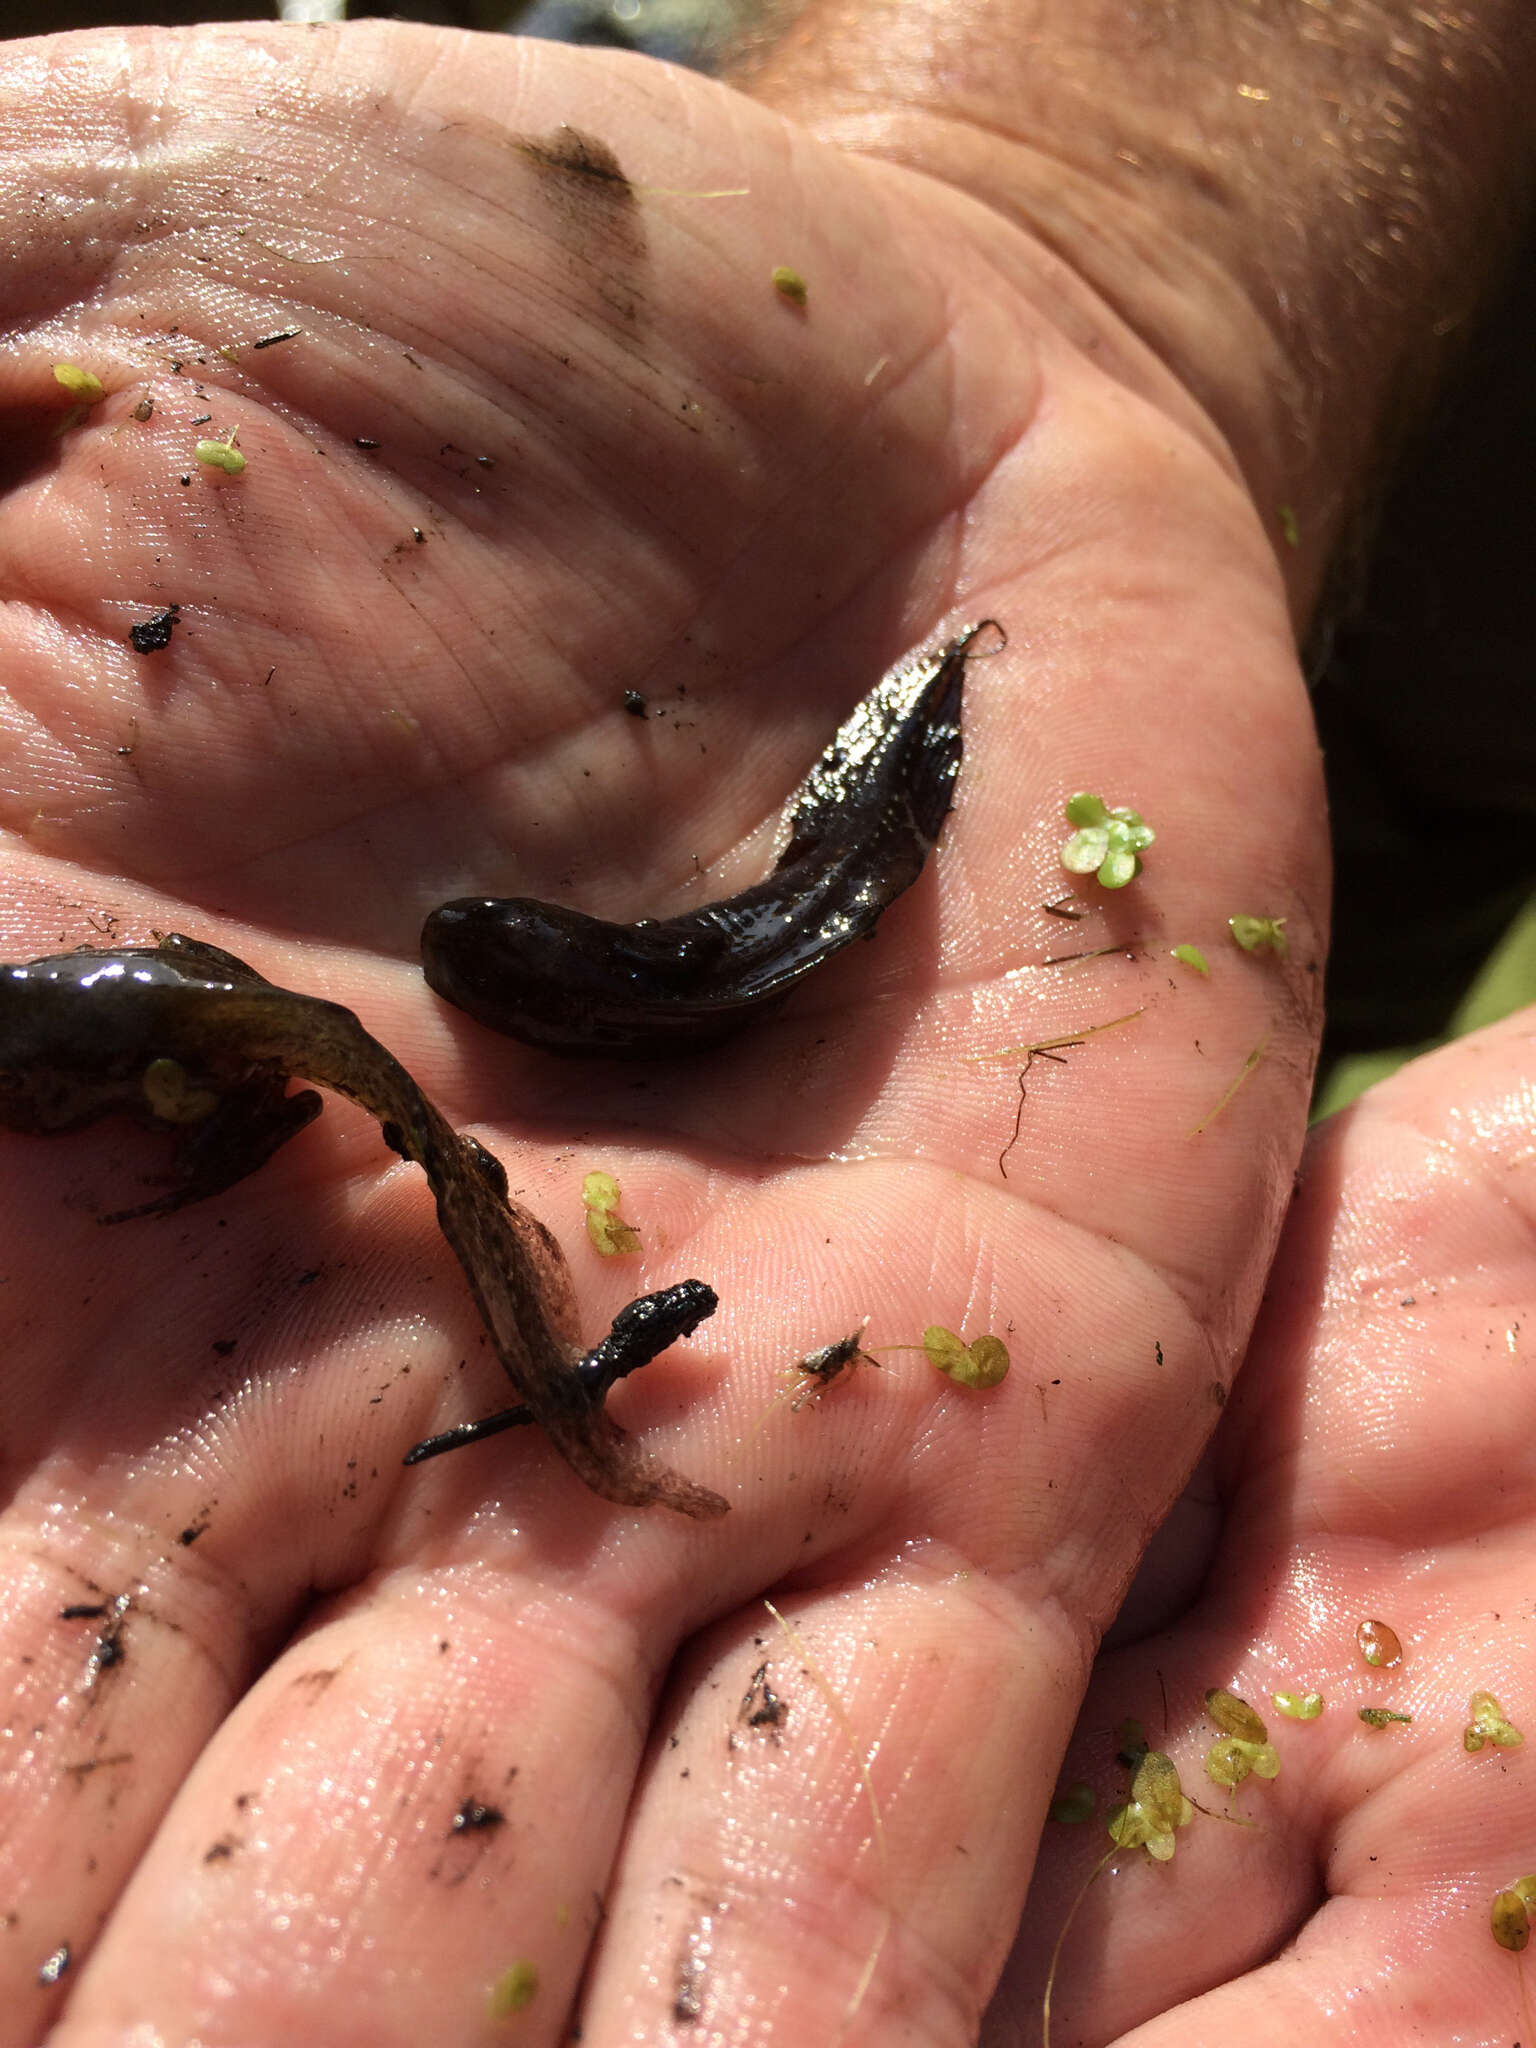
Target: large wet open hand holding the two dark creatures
{"type": "Point", "coordinates": [345, 1746]}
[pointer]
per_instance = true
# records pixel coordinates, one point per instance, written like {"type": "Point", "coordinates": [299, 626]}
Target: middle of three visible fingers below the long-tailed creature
{"type": "Point", "coordinates": [400, 1834]}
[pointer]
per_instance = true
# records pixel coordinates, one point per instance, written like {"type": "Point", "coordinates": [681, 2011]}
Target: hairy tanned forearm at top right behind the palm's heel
{"type": "Point", "coordinates": [1297, 204]}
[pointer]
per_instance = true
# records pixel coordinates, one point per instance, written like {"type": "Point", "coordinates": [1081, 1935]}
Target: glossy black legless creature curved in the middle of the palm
{"type": "Point", "coordinates": [859, 833]}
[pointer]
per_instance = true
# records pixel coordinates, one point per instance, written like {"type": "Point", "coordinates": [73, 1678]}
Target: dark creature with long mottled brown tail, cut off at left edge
{"type": "Point", "coordinates": [185, 1035]}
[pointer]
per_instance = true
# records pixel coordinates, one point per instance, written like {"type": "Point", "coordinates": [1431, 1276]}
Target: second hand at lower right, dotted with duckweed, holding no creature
{"type": "Point", "coordinates": [1371, 1465]}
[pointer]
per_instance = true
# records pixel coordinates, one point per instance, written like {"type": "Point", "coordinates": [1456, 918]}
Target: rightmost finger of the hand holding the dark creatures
{"type": "Point", "coordinates": [820, 1846]}
